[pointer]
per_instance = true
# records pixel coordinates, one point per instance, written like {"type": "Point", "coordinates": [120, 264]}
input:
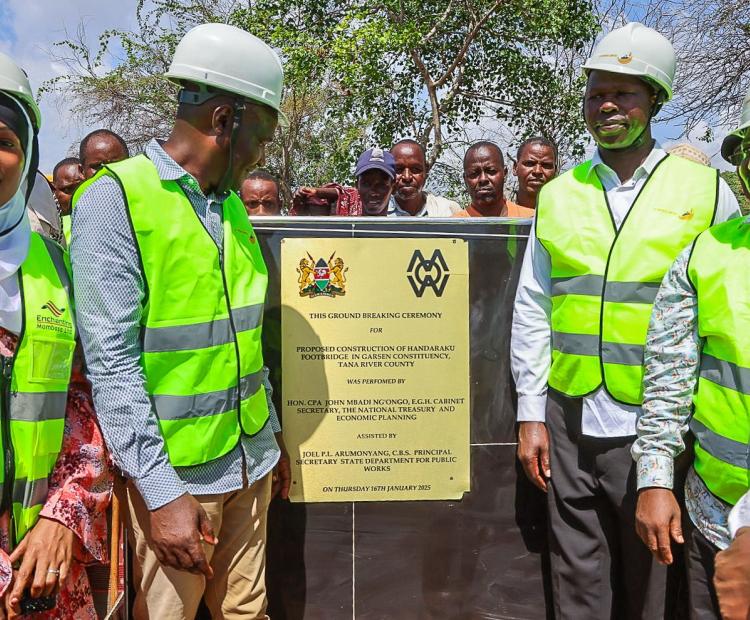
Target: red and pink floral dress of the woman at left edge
{"type": "Point", "coordinates": [79, 493]}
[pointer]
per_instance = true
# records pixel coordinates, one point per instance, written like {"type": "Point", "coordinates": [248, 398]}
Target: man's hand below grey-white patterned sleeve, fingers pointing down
{"type": "Point", "coordinates": [658, 522]}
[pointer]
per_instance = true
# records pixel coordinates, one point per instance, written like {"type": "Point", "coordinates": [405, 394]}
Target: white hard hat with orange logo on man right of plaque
{"type": "Point", "coordinates": [639, 51]}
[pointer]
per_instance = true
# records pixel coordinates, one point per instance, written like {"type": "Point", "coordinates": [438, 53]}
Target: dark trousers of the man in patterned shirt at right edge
{"type": "Point", "coordinates": [700, 556]}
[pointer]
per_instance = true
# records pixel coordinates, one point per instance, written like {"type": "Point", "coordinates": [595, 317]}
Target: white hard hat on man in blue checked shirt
{"type": "Point", "coordinates": [231, 60]}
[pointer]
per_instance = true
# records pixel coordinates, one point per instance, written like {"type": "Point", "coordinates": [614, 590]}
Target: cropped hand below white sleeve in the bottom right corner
{"type": "Point", "coordinates": [732, 578]}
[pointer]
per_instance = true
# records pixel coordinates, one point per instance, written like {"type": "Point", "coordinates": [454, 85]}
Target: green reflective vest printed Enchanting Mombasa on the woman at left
{"type": "Point", "coordinates": [35, 383]}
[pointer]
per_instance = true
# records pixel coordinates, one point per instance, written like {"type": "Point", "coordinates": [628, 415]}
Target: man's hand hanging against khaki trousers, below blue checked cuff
{"type": "Point", "coordinates": [177, 529]}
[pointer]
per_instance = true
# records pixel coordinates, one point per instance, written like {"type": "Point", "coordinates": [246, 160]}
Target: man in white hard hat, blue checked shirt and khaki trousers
{"type": "Point", "coordinates": [172, 285]}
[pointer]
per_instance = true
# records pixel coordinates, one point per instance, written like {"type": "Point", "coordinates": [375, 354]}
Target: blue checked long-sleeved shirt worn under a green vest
{"type": "Point", "coordinates": [109, 294]}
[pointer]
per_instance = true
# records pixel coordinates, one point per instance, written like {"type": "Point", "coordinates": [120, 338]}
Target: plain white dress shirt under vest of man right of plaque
{"type": "Point", "coordinates": [531, 355]}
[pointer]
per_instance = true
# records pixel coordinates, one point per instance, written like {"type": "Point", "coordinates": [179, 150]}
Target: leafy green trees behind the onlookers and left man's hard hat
{"type": "Point", "coordinates": [358, 73]}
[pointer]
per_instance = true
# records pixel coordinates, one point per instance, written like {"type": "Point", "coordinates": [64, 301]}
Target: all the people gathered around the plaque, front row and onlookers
{"type": "Point", "coordinates": [630, 327]}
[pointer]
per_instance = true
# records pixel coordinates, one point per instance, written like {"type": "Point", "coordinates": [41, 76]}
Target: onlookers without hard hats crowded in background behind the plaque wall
{"type": "Point", "coordinates": [388, 182]}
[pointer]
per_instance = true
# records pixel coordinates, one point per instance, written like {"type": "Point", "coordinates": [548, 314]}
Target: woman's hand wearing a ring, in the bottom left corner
{"type": "Point", "coordinates": [46, 553]}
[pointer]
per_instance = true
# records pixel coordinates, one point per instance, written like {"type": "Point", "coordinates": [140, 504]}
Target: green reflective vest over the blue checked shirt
{"type": "Point", "coordinates": [202, 315]}
